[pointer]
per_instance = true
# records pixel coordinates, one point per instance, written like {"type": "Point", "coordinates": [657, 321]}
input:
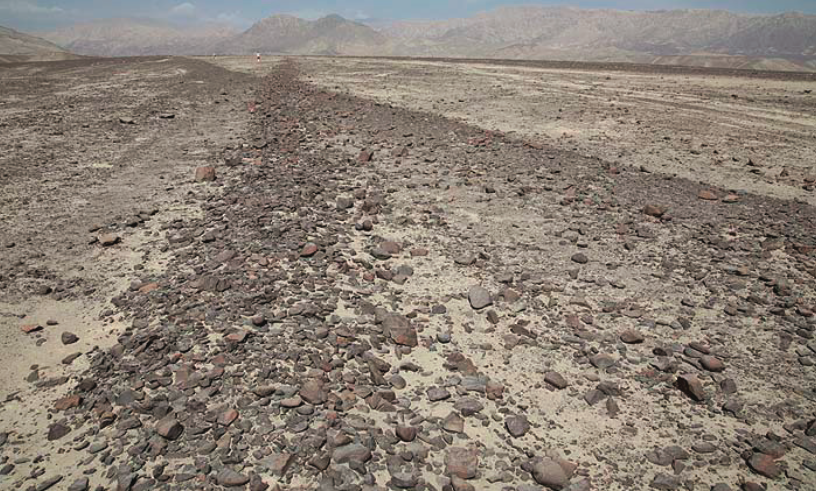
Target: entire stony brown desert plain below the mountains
{"type": "Point", "coordinates": [375, 274]}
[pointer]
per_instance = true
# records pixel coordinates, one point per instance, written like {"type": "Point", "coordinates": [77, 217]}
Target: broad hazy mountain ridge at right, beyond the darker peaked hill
{"type": "Point", "coordinates": [525, 31]}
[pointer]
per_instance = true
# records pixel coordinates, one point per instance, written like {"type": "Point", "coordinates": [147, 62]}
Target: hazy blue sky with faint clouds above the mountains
{"type": "Point", "coordinates": [44, 14]}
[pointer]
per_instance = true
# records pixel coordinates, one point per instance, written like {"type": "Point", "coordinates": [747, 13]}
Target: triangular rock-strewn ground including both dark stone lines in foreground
{"type": "Point", "coordinates": [376, 298]}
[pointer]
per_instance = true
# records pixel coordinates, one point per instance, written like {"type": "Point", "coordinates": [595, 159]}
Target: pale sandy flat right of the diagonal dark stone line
{"type": "Point", "coordinates": [743, 133]}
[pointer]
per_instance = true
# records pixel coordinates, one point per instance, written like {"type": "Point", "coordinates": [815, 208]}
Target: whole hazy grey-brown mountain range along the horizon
{"type": "Point", "coordinates": [694, 37]}
